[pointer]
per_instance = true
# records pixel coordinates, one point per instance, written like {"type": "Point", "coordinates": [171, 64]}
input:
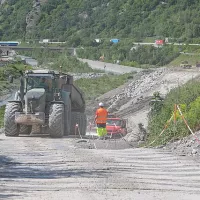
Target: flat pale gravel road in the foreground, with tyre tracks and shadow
{"type": "Point", "coordinates": [43, 168]}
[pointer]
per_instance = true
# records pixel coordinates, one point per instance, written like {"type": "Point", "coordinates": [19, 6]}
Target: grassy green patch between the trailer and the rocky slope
{"type": "Point", "coordinates": [93, 88]}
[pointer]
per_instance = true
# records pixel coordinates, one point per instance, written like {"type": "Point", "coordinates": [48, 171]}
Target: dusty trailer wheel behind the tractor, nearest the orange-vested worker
{"type": "Point", "coordinates": [80, 119]}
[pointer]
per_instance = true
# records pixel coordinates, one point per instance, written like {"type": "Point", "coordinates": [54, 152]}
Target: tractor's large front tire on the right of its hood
{"type": "Point", "coordinates": [56, 120]}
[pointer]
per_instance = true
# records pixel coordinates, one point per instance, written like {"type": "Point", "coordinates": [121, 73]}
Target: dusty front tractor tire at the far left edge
{"type": "Point", "coordinates": [11, 128]}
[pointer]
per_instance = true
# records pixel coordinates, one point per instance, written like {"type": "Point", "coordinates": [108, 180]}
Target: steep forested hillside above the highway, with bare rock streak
{"type": "Point", "coordinates": [82, 20]}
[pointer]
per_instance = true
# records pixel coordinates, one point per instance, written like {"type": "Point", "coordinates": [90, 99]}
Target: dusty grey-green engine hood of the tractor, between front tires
{"type": "Point", "coordinates": [35, 100]}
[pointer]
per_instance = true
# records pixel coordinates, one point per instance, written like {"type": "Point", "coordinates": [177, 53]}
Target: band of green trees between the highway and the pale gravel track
{"type": "Point", "coordinates": [141, 56]}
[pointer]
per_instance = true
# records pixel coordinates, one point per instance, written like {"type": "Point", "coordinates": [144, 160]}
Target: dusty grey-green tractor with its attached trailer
{"type": "Point", "coordinates": [48, 102]}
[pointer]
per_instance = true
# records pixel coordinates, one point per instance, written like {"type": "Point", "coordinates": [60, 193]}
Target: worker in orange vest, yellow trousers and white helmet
{"type": "Point", "coordinates": [100, 119]}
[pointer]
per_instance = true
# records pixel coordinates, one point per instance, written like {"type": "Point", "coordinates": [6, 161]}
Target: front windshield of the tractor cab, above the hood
{"type": "Point", "coordinates": [39, 81]}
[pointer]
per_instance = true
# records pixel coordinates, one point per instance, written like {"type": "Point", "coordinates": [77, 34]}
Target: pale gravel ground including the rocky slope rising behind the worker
{"type": "Point", "coordinates": [39, 167]}
